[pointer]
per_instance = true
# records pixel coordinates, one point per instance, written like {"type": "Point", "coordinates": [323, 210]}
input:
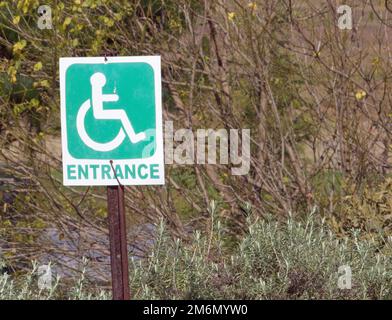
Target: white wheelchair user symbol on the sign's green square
{"type": "Point", "coordinates": [98, 81]}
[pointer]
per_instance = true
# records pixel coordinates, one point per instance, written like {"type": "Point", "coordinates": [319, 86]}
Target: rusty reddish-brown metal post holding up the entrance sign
{"type": "Point", "coordinates": [118, 243]}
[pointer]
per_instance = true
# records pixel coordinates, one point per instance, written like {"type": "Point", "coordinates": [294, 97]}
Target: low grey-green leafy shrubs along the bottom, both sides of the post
{"type": "Point", "coordinates": [274, 260]}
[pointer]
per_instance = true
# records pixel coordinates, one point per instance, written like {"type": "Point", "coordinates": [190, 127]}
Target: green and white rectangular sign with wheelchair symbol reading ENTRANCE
{"type": "Point", "coordinates": [111, 121]}
